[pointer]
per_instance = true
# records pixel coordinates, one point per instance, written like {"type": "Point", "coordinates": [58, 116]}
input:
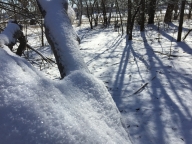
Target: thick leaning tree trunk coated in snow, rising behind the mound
{"type": "Point", "coordinates": [61, 36]}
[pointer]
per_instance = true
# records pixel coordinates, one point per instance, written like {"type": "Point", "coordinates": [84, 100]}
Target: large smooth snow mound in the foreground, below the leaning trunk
{"type": "Point", "coordinates": [34, 109]}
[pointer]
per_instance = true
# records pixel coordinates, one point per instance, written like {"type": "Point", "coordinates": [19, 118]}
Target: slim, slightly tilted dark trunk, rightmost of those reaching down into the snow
{"type": "Point", "coordinates": [181, 20]}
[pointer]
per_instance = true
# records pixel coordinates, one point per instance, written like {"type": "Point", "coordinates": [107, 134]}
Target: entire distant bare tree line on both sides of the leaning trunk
{"type": "Point", "coordinates": [123, 14]}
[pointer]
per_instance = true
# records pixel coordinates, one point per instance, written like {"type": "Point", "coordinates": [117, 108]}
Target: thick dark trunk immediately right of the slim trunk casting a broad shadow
{"type": "Point", "coordinates": [151, 11]}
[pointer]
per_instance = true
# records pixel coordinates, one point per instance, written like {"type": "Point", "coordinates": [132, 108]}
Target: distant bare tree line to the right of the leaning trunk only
{"type": "Point", "coordinates": [127, 13]}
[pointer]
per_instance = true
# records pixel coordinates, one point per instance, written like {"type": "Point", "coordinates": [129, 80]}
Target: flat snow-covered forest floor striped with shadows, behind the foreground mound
{"type": "Point", "coordinates": [149, 78]}
